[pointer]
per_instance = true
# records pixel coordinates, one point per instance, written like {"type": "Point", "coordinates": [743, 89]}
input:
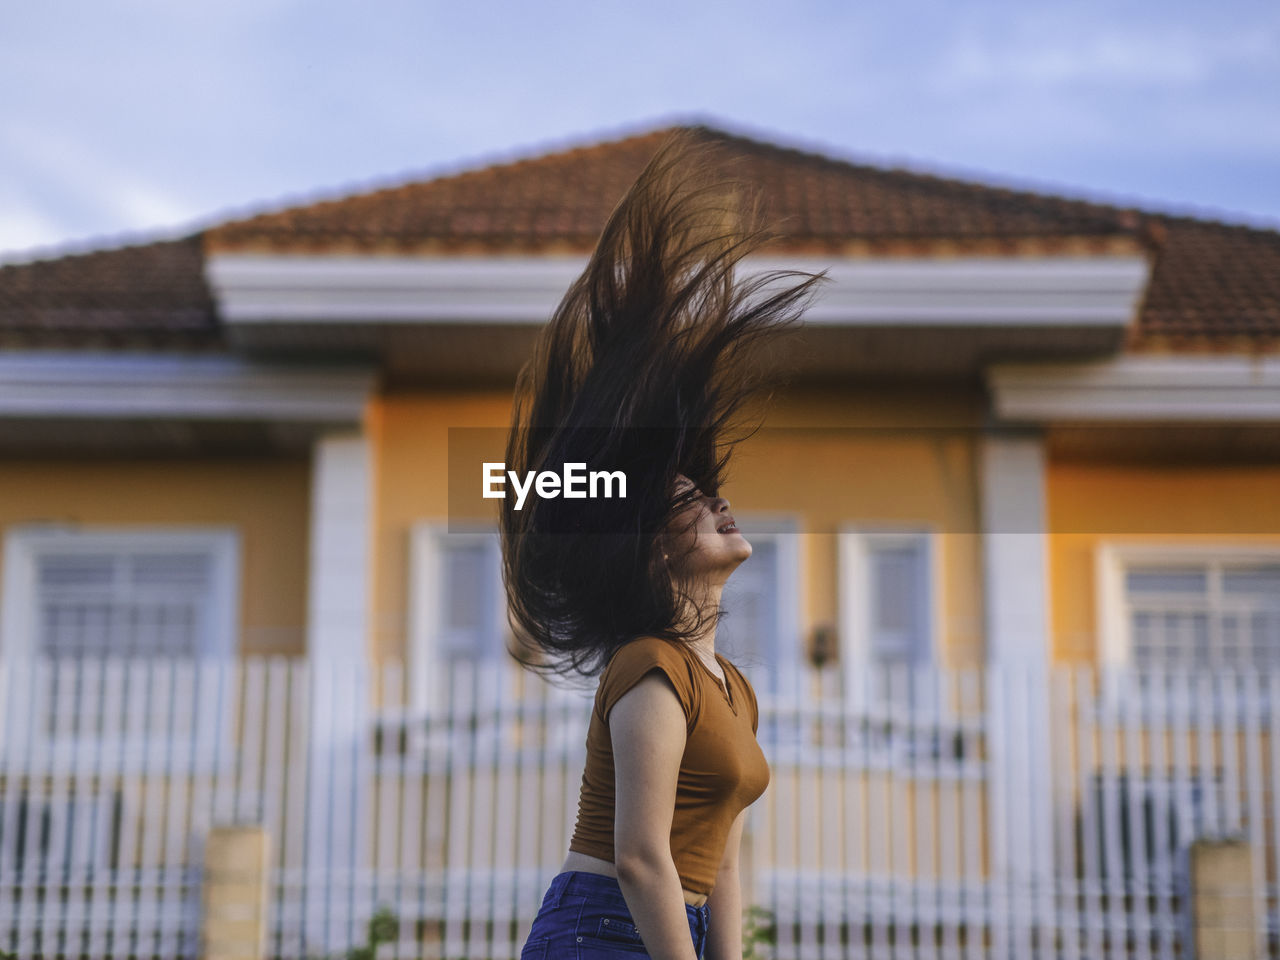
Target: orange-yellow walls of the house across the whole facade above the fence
{"type": "Point", "coordinates": [898, 474]}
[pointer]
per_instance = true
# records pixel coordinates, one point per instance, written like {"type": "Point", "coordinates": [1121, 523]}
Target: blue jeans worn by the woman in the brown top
{"type": "Point", "coordinates": [586, 917]}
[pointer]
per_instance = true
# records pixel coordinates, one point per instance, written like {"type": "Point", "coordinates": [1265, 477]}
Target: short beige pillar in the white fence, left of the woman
{"type": "Point", "coordinates": [235, 917]}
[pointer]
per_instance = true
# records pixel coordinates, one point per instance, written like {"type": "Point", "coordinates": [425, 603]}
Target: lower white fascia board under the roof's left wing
{"type": "Point", "coordinates": [57, 385]}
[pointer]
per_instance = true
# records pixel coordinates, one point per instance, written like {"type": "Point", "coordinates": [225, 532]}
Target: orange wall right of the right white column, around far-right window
{"type": "Point", "coordinates": [1089, 504]}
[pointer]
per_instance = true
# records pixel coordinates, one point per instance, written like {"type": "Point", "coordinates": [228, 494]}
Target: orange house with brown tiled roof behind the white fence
{"type": "Point", "coordinates": [1021, 429]}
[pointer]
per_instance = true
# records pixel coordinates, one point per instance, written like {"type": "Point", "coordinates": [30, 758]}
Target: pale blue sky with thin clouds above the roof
{"type": "Point", "coordinates": [127, 121]}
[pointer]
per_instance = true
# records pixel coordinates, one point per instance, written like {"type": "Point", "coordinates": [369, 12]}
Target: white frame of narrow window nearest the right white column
{"type": "Point", "coordinates": [854, 601]}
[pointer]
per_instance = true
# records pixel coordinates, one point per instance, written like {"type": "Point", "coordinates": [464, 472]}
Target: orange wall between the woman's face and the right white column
{"type": "Point", "coordinates": [874, 458]}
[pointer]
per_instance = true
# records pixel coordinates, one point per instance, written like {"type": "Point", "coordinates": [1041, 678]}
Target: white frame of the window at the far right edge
{"type": "Point", "coordinates": [1112, 561]}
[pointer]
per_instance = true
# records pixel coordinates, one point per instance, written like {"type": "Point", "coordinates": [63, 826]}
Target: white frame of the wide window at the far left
{"type": "Point", "coordinates": [19, 616]}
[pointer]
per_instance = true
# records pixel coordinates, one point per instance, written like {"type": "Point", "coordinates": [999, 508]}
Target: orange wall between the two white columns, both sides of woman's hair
{"type": "Point", "coordinates": [829, 456]}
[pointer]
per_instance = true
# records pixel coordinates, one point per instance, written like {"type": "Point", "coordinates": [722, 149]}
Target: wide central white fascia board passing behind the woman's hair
{"type": "Point", "coordinates": [1096, 291]}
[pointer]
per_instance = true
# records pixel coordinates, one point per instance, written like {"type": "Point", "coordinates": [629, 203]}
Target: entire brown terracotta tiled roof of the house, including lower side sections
{"type": "Point", "coordinates": [1214, 286]}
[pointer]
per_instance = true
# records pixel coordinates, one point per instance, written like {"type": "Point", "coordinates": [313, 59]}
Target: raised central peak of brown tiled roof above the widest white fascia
{"type": "Point", "coordinates": [564, 200]}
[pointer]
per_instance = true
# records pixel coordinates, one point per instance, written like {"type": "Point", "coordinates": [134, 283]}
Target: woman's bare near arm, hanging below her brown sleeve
{"type": "Point", "coordinates": [647, 726]}
